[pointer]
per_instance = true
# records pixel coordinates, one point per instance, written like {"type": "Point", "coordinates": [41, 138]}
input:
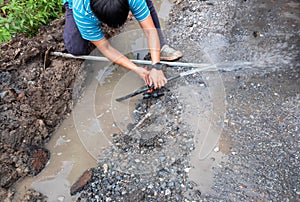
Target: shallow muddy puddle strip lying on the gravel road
{"type": "Point", "coordinates": [204, 117]}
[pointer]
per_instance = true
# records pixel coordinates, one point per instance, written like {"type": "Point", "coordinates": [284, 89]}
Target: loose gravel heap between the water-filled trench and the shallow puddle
{"type": "Point", "coordinates": [149, 162]}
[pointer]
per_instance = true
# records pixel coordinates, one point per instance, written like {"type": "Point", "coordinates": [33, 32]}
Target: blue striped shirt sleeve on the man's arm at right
{"type": "Point", "coordinates": [139, 9]}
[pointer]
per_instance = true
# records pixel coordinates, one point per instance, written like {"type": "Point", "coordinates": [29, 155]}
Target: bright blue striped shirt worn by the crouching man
{"type": "Point", "coordinates": [89, 25]}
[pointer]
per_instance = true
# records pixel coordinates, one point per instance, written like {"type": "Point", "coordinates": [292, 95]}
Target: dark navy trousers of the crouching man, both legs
{"type": "Point", "coordinates": [76, 45]}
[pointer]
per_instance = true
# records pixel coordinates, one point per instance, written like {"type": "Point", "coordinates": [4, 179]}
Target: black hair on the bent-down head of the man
{"type": "Point", "coordinates": [114, 13]}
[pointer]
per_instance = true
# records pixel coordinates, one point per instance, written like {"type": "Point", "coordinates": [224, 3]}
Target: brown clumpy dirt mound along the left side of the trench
{"type": "Point", "coordinates": [33, 101]}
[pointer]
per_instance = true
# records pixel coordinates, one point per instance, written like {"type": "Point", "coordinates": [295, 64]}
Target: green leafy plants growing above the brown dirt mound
{"type": "Point", "coordinates": [26, 16]}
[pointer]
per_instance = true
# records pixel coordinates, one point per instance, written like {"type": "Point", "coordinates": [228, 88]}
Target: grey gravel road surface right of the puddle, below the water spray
{"type": "Point", "coordinates": [263, 123]}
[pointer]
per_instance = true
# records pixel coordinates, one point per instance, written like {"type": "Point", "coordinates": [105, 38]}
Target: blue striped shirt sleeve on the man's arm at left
{"type": "Point", "coordinates": [88, 26]}
